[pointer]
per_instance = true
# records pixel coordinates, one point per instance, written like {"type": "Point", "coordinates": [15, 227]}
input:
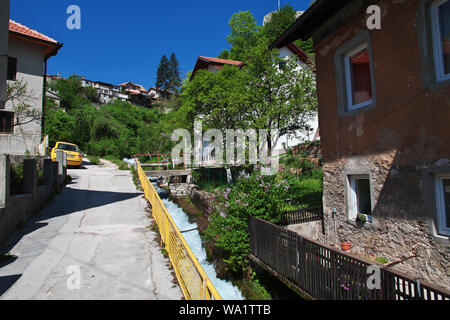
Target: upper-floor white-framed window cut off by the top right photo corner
{"type": "Point", "coordinates": [440, 27]}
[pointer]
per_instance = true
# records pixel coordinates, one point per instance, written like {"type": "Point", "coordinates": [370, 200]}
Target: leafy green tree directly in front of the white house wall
{"type": "Point", "coordinates": [283, 99]}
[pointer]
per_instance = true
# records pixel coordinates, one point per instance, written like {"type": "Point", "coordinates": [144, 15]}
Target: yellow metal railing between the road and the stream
{"type": "Point", "coordinates": [193, 280]}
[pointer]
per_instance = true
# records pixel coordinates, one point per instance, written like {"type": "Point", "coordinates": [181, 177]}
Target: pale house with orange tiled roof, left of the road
{"type": "Point", "coordinates": [27, 55]}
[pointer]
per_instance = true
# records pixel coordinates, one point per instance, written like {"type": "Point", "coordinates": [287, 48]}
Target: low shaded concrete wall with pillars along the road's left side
{"type": "Point", "coordinates": [14, 209]}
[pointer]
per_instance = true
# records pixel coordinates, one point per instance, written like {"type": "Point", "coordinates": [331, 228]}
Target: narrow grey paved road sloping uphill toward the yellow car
{"type": "Point", "coordinates": [92, 241]}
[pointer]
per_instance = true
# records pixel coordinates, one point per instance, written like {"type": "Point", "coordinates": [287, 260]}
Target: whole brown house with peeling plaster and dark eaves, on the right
{"type": "Point", "coordinates": [384, 113]}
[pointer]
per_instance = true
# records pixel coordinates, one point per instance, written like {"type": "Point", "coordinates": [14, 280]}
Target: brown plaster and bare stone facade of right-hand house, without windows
{"type": "Point", "coordinates": [397, 144]}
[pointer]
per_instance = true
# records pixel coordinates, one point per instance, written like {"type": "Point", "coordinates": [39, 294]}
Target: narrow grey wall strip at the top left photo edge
{"type": "Point", "coordinates": [4, 27]}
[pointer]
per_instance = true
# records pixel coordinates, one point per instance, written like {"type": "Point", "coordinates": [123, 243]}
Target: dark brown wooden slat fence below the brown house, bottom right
{"type": "Point", "coordinates": [326, 273]}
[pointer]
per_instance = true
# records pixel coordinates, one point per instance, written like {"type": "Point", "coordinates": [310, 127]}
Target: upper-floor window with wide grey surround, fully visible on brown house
{"type": "Point", "coordinates": [355, 75]}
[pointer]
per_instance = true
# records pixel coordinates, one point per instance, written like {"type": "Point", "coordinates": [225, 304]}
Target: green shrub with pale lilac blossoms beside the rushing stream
{"type": "Point", "coordinates": [252, 195]}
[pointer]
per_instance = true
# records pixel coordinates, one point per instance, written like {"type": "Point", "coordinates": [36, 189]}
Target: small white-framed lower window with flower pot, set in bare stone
{"type": "Point", "coordinates": [360, 201]}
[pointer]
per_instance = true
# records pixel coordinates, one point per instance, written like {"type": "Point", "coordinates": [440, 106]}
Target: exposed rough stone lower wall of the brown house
{"type": "Point", "coordinates": [403, 224]}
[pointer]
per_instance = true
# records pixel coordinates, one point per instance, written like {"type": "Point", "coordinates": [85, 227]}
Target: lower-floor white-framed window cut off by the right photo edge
{"type": "Point", "coordinates": [442, 187]}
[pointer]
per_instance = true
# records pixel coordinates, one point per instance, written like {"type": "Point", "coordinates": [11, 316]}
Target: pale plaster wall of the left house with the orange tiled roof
{"type": "Point", "coordinates": [30, 62]}
